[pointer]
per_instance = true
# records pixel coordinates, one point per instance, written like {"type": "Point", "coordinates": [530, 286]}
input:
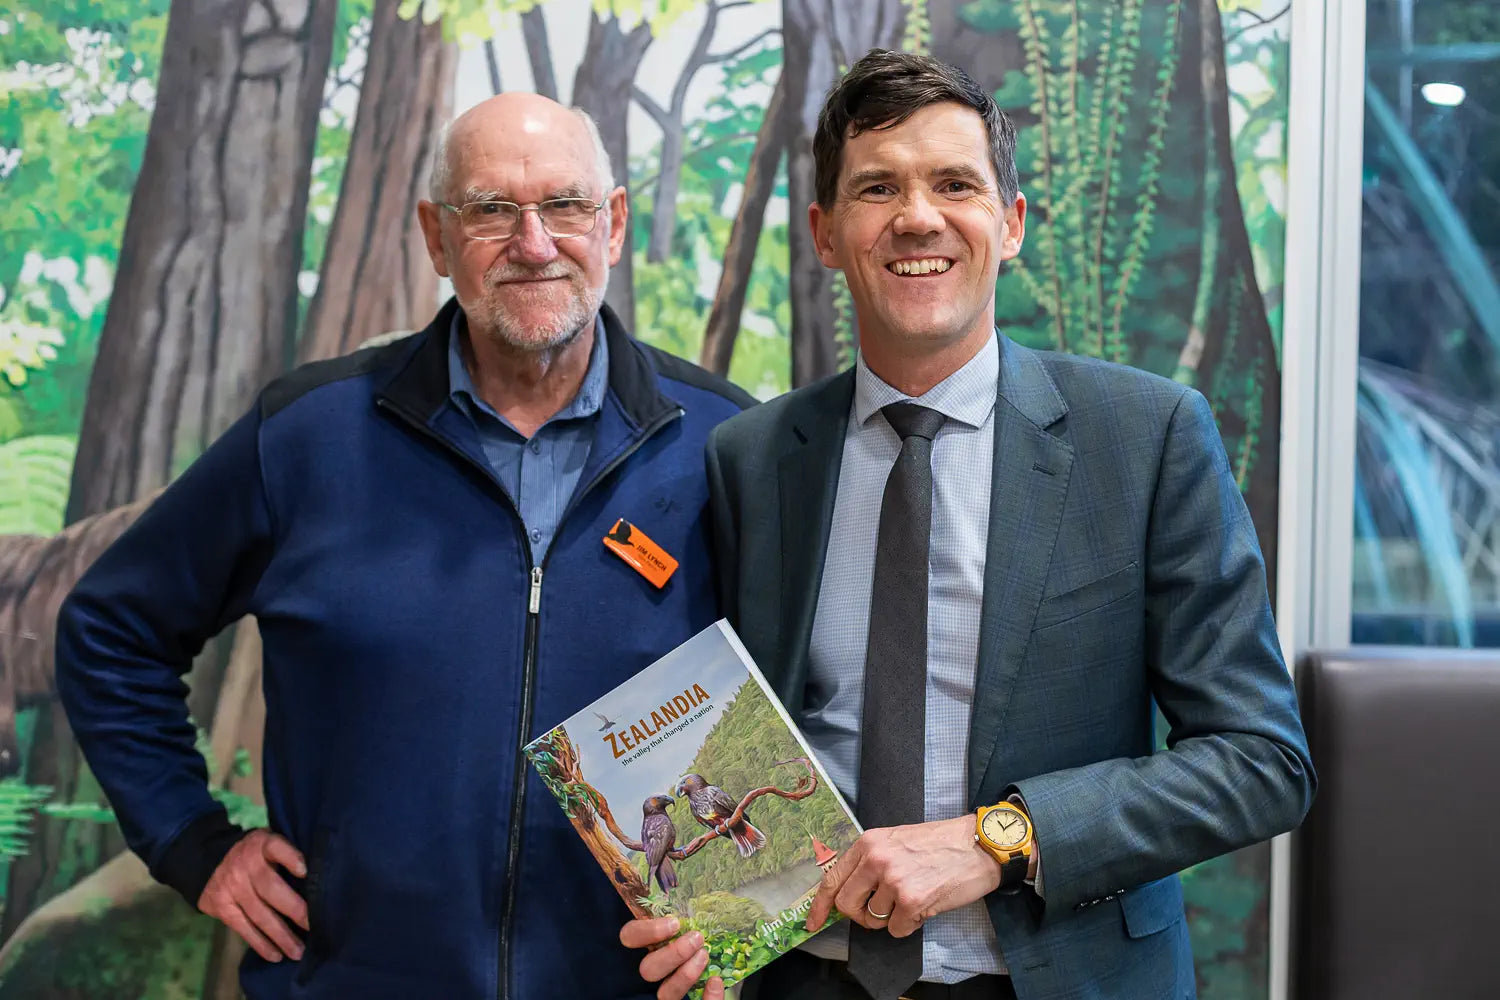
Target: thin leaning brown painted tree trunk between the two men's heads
{"type": "Point", "coordinates": [734, 280]}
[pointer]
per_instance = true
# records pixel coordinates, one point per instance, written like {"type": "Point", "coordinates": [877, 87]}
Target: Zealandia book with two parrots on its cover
{"type": "Point", "coordinates": [700, 798]}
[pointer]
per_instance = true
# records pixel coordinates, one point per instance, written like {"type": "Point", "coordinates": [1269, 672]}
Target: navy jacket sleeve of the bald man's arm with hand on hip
{"type": "Point", "coordinates": [130, 632]}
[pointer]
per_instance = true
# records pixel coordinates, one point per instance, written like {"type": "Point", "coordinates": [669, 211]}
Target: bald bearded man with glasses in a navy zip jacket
{"type": "Point", "coordinates": [419, 531]}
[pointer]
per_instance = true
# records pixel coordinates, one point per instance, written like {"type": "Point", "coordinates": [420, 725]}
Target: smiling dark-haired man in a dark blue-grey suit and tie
{"type": "Point", "coordinates": [971, 570]}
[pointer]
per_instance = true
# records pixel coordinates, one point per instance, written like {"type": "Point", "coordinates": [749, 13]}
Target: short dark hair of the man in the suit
{"type": "Point", "coordinates": [883, 91]}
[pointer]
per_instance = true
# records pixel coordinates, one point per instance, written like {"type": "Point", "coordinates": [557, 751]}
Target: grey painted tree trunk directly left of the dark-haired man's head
{"type": "Point", "coordinates": [820, 43]}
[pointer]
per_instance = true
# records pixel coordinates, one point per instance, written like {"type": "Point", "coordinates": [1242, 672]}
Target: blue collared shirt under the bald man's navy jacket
{"type": "Point", "coordinates": [541, 473]}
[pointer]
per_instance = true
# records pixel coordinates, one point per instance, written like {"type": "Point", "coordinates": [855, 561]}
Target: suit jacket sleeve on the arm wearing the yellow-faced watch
{"type": "Point", "coordinates": [1237, 767]}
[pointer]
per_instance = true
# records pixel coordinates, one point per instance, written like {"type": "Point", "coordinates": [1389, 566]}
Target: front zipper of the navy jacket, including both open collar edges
{"type": "Point", "coordinates": [518, 792]}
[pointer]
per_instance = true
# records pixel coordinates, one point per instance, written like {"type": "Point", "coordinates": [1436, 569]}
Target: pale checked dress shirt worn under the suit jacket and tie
{"type": "Point", "coordinates": [959, 944]}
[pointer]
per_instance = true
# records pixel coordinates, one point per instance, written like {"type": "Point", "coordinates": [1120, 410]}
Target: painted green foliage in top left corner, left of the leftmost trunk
{"type": "Point", "coordinates": [79, 85]}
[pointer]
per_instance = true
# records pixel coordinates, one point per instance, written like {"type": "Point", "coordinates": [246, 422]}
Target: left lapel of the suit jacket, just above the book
{"type": "Point", "coordinates": [808, 475]}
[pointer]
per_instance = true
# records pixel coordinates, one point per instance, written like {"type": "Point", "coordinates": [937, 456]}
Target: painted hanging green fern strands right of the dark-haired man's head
{"type": "Point", "coordinates": [1096, 211]}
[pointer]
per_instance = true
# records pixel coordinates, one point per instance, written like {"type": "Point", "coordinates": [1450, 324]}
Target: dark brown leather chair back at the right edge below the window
{"type": "Point", "coordinates": [1397, 869]}
